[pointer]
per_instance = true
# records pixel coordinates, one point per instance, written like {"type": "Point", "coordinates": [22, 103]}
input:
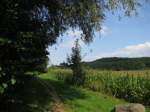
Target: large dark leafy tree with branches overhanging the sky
{"type": "Point", "coordinates": [27, 27]}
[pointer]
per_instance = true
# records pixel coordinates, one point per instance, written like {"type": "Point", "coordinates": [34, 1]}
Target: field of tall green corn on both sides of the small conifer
{"type": "Point", "coordinates": [134, 86]}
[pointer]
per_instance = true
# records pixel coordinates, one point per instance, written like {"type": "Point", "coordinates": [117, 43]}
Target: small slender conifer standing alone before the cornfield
{"type": "Point", "coordinates": [76, 65]}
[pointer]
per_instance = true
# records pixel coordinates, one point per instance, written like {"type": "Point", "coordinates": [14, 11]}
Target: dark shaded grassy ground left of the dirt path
{"type": "Point", "coordinates": [30, 96]}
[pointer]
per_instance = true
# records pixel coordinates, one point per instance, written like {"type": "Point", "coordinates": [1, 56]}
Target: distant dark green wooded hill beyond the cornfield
{"type": "Point", "coordinates": [120, 63]}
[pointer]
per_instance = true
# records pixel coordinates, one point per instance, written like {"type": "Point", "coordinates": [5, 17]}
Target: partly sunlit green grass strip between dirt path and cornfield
{"type": "Point", "coordinates": [82, 100]}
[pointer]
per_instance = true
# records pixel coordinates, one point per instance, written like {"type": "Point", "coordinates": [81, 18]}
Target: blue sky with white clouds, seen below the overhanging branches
{"type": "Point", "coordinates": [128, 37]}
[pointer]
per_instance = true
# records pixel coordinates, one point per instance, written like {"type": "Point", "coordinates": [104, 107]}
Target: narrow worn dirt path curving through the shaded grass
{"type": "Point", "coordinates": [58, 105]}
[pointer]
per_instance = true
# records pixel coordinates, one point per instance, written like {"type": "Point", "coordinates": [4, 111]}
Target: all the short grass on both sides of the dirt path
{"type": "Point", "coordinates": [32, 96]}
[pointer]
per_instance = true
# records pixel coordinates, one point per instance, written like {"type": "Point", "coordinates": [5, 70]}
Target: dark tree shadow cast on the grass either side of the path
{"type": "Point", "coordinates": [32, 96]}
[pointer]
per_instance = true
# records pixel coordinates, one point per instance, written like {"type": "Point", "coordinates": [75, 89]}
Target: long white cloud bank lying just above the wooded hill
{"type": "Point", "coordinates": [139, 50]}
